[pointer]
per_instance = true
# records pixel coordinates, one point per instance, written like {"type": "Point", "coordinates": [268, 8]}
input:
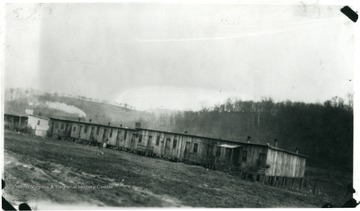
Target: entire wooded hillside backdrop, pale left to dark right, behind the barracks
{"type": "Point", "coordinates": [324, 131]}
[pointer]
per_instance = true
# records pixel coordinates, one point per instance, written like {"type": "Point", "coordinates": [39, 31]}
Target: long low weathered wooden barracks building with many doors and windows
{"type": "Point", "coordinates": [262, 162]}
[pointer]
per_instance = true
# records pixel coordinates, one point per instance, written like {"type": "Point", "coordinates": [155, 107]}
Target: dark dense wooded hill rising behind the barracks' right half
{"type": "Point", "coordinates": [322, 131]}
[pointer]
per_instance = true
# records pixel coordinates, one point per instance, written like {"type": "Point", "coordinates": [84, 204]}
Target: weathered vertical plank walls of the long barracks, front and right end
{"type": "Point", "coordinates": [280, 163]}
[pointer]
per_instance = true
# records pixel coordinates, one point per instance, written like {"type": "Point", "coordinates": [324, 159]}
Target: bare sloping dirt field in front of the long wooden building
{"type": "Point", "coordinates": [47, 173]}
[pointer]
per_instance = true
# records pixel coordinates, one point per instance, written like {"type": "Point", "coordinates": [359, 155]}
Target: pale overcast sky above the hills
{"type": "Point", "coordinates": [180, 56]}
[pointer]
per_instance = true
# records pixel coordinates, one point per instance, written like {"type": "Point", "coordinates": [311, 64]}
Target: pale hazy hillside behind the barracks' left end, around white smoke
{"type": "Point", "coordinates": [100, 111]}
